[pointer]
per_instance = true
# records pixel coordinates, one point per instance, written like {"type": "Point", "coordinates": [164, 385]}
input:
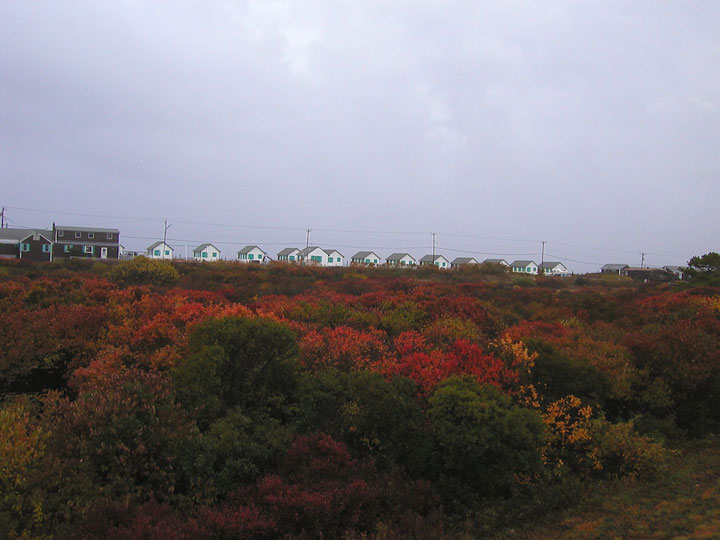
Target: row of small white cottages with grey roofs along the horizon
{"type": "Point", "coordinates": [331, 257]}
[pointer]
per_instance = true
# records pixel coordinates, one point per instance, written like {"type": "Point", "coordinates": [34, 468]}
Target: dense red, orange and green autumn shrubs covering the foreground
{"type": "Point", "coordinates": [148, 400]}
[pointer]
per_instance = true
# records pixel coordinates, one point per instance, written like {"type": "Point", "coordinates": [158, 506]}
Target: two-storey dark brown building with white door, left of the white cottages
{"type": "Point", "coordinates": [88, 242]}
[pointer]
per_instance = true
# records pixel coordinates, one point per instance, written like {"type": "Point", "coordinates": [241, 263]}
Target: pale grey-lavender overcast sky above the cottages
{"type": "Point", "coordinates": [594, 126]}
